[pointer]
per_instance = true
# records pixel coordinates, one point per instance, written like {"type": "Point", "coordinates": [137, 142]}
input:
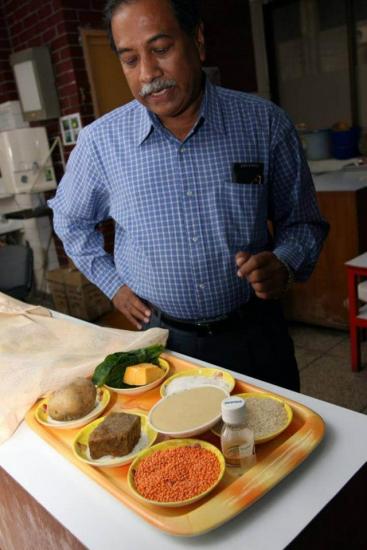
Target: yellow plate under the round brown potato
{"type": "Point", "coordinates": [42, 416]}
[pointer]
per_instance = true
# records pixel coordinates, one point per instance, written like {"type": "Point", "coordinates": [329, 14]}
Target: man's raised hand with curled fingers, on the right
{"type": "Point", "coordinates": [265, 273]}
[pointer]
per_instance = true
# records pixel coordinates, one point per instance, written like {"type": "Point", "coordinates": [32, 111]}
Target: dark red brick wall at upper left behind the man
{"type": "Point", "coordinates": [56, 24]}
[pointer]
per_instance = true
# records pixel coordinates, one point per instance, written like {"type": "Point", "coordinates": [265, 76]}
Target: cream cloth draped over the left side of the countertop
{"type": "Point", "coordinates": [40, 353]}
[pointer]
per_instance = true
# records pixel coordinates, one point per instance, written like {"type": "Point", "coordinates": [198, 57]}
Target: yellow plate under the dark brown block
{"type": "Point", "coordinates": [81, 449]}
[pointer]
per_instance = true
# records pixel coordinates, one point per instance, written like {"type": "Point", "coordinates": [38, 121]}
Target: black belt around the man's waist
{"type": "Point", "coordinates": [224, 323]}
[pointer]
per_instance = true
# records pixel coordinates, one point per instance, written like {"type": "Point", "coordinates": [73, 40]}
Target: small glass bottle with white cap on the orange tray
{"type": "Point", "coordinates": [237, 440]}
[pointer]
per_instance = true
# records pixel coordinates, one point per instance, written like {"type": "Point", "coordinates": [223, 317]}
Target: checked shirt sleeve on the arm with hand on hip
{"type": "Point", "coordinates": [80, 204]}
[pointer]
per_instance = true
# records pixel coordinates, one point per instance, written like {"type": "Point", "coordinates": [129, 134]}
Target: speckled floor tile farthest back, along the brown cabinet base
{"type": "Point", "coordinates": [318, 339]}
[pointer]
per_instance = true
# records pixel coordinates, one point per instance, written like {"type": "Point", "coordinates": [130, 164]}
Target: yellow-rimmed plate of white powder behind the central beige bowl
{"type": "Point", "coordinates": [211, 375]}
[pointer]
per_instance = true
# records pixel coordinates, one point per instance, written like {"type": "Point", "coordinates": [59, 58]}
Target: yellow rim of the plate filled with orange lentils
{"type": "Point", "coordinates": [169, 445]}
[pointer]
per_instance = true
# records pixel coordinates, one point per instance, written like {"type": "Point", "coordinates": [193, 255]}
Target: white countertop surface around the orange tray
{"type": "Point", "coordinates": [102, 522]}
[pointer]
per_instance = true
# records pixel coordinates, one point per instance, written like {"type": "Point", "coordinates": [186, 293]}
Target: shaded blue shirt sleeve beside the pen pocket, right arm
{"type": "Point", "coordinates": [299, 229]}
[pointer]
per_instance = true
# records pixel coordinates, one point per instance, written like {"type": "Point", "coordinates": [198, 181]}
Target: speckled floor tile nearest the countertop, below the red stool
{"type": "Point", "coordinates": [330, 378]}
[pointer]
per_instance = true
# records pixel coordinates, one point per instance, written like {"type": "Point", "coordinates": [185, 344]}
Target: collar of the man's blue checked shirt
{"type": "Point", "coordinates": [210, 112]}
